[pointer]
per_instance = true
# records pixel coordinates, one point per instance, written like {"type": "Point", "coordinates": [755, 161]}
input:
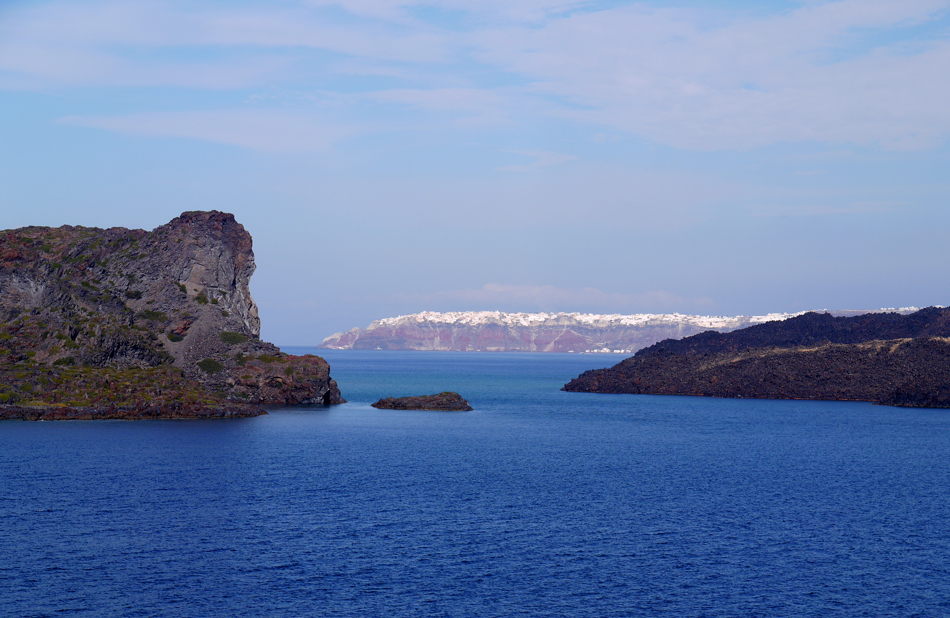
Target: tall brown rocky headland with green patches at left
{"type": "Point", "coordinates": [135, 323]}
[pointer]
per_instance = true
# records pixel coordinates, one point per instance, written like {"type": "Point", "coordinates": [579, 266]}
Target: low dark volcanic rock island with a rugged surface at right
{"type": "Point", "coordinates": [887, 358]}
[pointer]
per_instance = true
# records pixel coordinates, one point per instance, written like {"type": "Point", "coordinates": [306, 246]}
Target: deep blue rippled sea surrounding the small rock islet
{"type": "Point", "coordinates": [538, 503]}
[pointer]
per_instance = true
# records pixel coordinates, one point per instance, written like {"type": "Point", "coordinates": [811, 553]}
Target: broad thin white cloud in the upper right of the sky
{"type": "Point", "coordinates": [681, 78]}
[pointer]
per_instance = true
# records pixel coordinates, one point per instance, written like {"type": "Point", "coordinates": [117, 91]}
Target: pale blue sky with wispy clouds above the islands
{"type": "Point", "coordinates": [395, 156]}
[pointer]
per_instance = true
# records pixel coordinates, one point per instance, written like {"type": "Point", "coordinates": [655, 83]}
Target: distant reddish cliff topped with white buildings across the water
{"type": "Point", "coordinates": [495, 331]}
